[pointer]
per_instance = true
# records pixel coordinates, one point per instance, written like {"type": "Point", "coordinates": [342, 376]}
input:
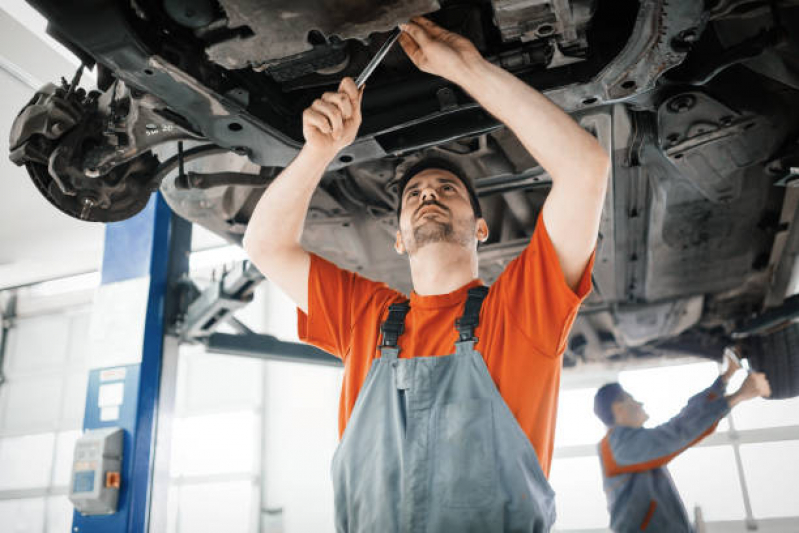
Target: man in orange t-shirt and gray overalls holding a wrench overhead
{"type": "Point", "coordinates": [449, 399]}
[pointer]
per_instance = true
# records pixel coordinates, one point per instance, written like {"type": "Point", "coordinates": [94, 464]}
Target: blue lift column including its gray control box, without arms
{"type": "Point", "coordinates": [143, 259]}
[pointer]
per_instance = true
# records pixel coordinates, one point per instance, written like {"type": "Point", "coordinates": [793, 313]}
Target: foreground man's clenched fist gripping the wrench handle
{"type": "Point", "coordinates": [332, 121]}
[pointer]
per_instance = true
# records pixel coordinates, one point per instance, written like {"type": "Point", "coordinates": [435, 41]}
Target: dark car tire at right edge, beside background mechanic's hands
{"type": "Point", "coordinates": [776, 354]}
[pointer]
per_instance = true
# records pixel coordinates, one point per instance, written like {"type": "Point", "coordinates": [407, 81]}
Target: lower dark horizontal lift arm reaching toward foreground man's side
{"type": "Point", "coordinates": [269, 348]}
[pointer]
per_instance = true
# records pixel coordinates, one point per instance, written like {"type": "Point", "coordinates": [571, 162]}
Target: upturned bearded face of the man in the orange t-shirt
{"type": "Point", "coordinates": [436, 208]}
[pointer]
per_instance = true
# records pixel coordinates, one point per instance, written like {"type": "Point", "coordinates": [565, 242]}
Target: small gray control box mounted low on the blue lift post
{"type": "Point", "coordinates": [96, 467]}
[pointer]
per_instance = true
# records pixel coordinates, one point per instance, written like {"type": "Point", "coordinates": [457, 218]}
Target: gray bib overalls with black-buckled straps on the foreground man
{"type": "Point", "coordinates": [431, 445]}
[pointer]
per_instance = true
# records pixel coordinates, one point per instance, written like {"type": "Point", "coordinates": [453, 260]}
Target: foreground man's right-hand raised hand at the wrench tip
{"type": "Point", "coordinates": [437, 51]}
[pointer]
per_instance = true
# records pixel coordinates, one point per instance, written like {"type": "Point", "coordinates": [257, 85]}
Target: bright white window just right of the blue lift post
{"type": "Point", "coordinates": [215, 466]}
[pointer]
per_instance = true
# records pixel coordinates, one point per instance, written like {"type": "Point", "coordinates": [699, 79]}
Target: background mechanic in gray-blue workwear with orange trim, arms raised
{"type": "Point", "coordinates": [641, 494]}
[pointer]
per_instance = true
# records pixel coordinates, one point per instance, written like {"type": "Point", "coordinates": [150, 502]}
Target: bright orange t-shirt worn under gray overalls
{"type": "Point", "coordinates": [524, 324]}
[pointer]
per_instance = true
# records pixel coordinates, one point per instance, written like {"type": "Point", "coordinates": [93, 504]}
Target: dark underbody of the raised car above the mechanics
{"type": "Point", "coordinates": [698, 103]}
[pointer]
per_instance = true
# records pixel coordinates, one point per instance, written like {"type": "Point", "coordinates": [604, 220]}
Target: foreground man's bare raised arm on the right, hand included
{"type": "Point", "coordinates": [573, 158]}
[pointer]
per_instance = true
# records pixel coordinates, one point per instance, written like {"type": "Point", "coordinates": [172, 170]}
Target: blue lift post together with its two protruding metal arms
{"type": "Point", "coordinates": [146, 261]}
